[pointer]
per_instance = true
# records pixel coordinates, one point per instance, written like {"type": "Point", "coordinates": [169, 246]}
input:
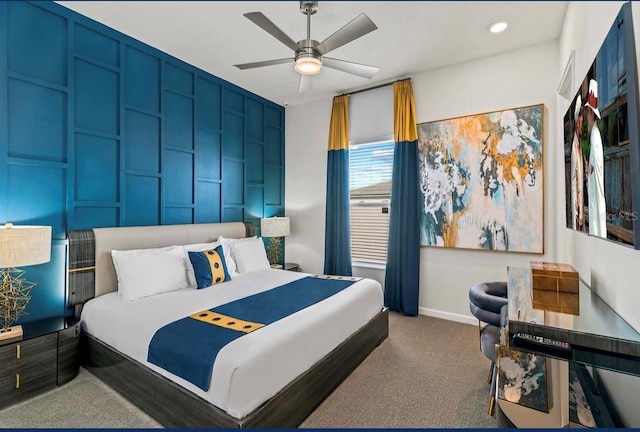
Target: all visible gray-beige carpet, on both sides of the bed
{"type": "Point", "coordinates": [429, 373]}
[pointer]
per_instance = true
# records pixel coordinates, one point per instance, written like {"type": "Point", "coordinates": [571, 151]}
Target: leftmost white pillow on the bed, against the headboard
{"type": "Point", "coordinates": [145, 272]}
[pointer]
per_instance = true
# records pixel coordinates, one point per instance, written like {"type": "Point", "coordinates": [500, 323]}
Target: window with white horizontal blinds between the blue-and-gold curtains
{"type": "Point", "coordinates": [370, 169]}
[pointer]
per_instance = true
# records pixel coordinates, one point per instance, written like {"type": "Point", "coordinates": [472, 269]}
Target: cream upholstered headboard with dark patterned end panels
{"type": "Point", "coordinates": [91, 271]}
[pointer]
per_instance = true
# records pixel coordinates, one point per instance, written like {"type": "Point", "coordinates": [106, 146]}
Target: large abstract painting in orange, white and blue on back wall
{"type": "Point", "coordinates": [481, 181]}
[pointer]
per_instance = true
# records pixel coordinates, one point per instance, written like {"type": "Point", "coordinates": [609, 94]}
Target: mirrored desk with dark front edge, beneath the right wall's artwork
{"type": "Point", "coordinates": [599, 337]}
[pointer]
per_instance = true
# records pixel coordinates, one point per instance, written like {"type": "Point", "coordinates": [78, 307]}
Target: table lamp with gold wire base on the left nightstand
{"type": "Point", "coordinates": [19, 246]}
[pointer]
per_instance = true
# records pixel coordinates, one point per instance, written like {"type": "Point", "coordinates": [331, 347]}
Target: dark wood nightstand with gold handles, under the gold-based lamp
{"type": "Point", "coordinates": [44, 358]}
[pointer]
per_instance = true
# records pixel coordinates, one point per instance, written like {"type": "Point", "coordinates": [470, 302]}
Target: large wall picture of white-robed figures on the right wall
{"type": "Point", "coordinates": [602, 142]}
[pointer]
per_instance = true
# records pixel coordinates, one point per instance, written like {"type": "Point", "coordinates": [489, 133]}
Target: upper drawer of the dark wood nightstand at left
{"type": "Point", "coordinates": [26, 354]}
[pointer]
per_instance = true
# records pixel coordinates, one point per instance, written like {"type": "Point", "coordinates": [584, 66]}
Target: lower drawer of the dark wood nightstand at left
{"type": "Point", "coordinates": [27, 383]}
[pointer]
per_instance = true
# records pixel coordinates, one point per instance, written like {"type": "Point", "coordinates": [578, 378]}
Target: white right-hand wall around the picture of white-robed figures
{"type": "Point", "coordinates": [612, 270]}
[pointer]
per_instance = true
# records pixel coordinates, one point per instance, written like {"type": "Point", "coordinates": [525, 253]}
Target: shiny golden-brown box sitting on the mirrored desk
{"type": "Point", "coordinates": [555, 287]}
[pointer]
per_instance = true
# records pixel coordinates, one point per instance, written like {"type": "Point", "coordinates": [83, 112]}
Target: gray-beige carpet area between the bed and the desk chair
{"type": "Point", "coordinates": [429, 373]}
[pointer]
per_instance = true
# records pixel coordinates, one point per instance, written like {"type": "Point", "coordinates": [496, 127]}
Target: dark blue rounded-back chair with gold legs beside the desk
{"type": "Point", "coordinates": [485, 301]}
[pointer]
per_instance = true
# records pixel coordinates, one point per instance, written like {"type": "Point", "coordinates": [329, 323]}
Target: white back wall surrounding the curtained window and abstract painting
{"type": "Point", "coordinates": [515, 79]}
